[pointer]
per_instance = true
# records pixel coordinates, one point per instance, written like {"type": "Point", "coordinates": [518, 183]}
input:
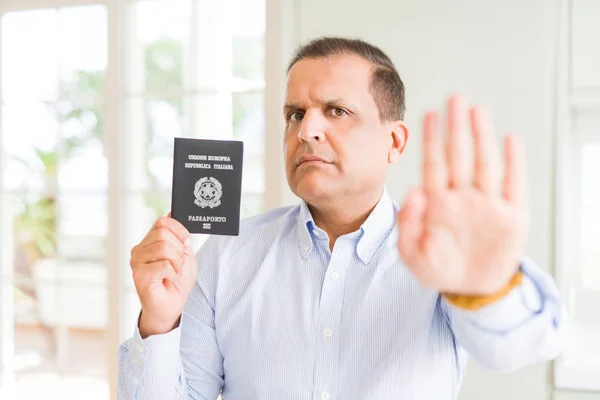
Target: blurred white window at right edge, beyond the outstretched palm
{"type": "Point", "coordinates": [579, 199]}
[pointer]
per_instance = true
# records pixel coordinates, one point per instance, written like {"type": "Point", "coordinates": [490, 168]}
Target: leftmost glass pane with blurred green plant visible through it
{"type": "Point", "coordinates": [53, 69]}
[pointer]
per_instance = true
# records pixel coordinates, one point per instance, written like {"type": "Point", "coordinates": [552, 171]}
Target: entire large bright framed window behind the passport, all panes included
{"type": "Point", "coordinates": [91, 97]}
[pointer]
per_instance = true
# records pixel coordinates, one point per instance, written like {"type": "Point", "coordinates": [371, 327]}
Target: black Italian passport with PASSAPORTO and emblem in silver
{"type": "Point", "coordinates": [207, 185]}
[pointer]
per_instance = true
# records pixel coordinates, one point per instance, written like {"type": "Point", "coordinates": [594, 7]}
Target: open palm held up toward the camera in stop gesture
{"type": "Point", "coordinates": [464, 231]}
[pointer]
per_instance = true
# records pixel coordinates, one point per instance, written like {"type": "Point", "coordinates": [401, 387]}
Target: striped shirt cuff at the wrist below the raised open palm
{"type": "Point", "coordinates": [521, 304]}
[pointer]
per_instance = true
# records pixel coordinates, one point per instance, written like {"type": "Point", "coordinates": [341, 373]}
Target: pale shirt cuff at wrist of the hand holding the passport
{"type": "Point", "coordinates": [157, 355]}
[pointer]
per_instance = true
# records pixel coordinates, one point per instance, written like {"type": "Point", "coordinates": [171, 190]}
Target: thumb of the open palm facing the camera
{"type": "Point", "coordinates": [411, 226]}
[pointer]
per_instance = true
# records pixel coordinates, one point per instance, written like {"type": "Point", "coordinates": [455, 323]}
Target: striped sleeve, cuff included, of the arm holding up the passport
{"type": "Point", "coordinates": [185, 363]}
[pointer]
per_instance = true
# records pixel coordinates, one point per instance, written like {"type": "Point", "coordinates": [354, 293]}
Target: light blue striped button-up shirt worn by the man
{"type": "Point", "coordinates": [275, 314]}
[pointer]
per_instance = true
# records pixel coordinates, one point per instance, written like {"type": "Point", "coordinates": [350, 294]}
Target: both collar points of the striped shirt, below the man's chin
{"type": "Point", "coordinates": [373, 231]}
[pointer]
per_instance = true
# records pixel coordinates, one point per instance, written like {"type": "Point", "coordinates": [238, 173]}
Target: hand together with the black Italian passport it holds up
{"type": "Point", "coordinates": [207, 187]}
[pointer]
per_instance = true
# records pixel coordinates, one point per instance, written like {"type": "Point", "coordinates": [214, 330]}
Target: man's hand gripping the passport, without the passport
{"type": "Point", "coordinates": [164, 271]}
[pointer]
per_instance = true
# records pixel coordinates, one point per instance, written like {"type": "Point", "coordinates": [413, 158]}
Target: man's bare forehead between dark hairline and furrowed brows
{"type": "Point", "coordinates": [345, 76]}
